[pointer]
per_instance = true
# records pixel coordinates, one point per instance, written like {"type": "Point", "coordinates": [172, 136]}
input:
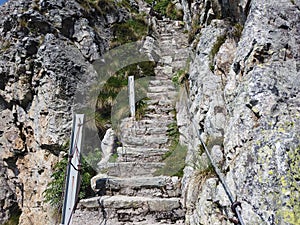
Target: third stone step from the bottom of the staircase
{"type": "Point", "coordinates": [130, 169]}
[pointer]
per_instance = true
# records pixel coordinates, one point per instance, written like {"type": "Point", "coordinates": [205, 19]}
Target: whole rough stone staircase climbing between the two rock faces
{"type": "Point", "coordinates": [129, 191]}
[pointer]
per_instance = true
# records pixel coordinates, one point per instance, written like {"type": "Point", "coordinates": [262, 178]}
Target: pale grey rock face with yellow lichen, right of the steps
{"type": "Point", "coordinates": [243, 96]}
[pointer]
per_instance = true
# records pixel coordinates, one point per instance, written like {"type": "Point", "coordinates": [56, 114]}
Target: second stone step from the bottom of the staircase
{"type": "Point", "coordinates": [160, 186]}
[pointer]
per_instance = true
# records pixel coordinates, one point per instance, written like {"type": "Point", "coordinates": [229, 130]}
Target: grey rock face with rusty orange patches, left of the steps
{"type": "Point", "coordinates": [46, 48]}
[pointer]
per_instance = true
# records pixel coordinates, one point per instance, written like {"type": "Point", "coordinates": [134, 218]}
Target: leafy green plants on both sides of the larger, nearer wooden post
{"type": "Point", "coordinates": [54, 191]}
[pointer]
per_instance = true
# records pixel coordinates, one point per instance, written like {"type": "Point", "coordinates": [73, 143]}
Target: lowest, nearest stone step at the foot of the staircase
{"type": "Point", "coordinates": [120, 209]}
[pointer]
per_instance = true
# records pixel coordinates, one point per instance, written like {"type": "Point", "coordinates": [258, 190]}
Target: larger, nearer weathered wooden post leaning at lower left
{"type": "Point", "coordinates": [73, 171]}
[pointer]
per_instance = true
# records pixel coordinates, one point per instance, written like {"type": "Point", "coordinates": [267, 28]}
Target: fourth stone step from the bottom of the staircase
{"type": "Point", "coordinates": [127, 154]}
